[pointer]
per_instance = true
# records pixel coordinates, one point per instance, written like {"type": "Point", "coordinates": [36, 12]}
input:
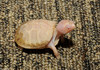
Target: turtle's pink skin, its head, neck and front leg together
{"type": "Point", "coordinates": [63, 27]}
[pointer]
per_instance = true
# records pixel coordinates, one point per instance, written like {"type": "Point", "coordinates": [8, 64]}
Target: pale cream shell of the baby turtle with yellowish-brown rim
{"type": "Point", "coordinates": [35, 34]}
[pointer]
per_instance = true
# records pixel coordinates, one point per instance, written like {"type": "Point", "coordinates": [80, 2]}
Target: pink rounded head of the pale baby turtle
{"type": "Point", "coordinates": [65, 26]}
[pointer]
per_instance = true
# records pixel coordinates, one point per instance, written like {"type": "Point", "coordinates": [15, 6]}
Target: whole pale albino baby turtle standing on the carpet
{"type": "Point", "coordinates": [39, 34]}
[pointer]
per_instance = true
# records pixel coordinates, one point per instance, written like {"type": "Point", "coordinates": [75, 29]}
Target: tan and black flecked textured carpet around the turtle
{"type": "Point", "coordinates": [80, 49]}
